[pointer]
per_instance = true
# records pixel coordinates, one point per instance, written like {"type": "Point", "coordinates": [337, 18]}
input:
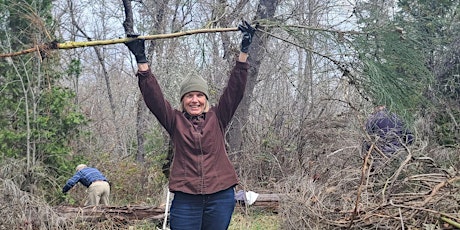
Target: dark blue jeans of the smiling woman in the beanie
{"type": "Point", "coordinates": [202, 212]}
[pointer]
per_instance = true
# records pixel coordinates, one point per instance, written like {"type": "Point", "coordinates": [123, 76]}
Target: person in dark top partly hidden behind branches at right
{"type": "Point", "coordinates": [387, 131]}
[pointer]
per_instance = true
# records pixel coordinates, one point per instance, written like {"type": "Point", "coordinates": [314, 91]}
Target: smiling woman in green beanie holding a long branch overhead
{"type": "Point", "coordinates": [202, 177]}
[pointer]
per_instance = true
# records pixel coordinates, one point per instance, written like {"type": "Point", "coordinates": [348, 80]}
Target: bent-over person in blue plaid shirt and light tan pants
{"type": "Point", "coordinates": [95, 181]}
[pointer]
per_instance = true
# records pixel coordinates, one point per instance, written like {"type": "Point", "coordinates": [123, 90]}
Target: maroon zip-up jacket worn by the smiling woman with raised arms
{"type": "Point", "coordinates": [200, 164]}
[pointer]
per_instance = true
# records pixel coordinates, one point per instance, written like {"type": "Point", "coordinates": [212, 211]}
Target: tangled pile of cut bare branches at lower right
{"type": "Point", "coordinates": [407, 191]}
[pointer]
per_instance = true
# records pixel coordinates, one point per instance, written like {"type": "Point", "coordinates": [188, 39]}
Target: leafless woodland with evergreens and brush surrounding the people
{"type": "Point", "coordinates": [317, 70]}
